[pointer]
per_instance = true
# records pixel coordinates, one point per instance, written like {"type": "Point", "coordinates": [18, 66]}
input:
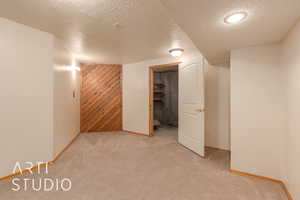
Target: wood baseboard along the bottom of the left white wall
{"type": "Point", "coordinates": [42, 165]}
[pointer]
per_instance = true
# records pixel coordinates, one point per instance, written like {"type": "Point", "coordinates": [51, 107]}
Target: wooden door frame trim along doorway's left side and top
{"type": "Point", "coordinates": [151, 90]}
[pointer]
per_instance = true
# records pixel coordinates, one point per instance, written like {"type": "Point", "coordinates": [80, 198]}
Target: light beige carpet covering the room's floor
{"type": "Point", "coordinates": [120, 166]}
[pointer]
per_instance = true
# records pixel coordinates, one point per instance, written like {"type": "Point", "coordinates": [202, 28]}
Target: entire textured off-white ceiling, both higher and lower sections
{"type": "Point", "coordinates": [148, 28]}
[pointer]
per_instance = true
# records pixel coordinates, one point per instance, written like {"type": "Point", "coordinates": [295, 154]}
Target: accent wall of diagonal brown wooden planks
{"type": "Point", "coordinates": [101, 98]}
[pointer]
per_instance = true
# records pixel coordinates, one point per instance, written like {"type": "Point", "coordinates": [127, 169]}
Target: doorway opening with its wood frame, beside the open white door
{"type": "Point", "coordinates": [164, 100]}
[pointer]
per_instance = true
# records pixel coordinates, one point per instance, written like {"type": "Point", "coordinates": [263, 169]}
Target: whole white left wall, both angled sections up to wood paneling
{"type": "Point", "coordinates": [39, 116]}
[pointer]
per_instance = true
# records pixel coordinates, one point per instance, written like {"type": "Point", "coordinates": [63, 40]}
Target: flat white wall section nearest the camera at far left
{"type": "Point", "coordinates": [26, 105]}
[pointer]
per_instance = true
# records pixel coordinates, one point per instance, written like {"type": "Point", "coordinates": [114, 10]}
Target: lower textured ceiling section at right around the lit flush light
{"type": "Point", "coordinates": [203, 20]}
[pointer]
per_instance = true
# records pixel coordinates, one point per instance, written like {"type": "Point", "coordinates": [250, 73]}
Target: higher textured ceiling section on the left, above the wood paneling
{"type": "Point", "coordinates": [88, 29]}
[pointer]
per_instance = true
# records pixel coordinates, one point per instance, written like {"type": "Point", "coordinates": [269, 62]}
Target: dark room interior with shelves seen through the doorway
{"type": "Point", "coordinates": [166, 97]}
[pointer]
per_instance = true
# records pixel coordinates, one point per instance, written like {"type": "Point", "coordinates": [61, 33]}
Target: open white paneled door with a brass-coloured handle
{"type": "Point", "coordinates": [191, 106]}
